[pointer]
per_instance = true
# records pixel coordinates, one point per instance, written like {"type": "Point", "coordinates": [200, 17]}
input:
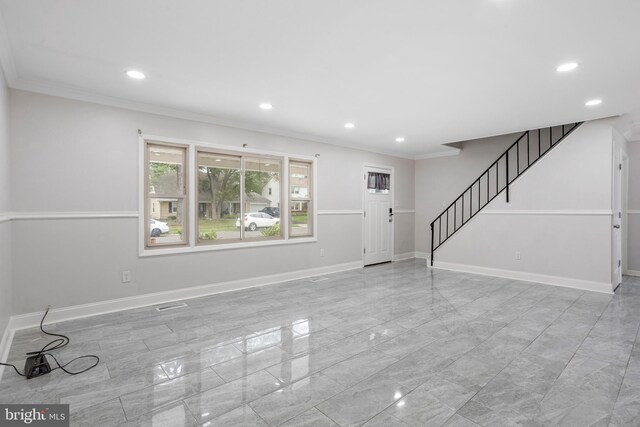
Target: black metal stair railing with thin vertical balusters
{"type": "Point", "coordinates": [530, 147]}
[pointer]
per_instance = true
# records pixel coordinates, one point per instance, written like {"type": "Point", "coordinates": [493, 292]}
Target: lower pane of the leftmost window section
{"type": "Point", "coordinates": [166, 226]}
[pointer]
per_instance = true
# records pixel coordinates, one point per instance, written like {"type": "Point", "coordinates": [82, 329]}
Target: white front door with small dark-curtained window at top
{"type": "Point", "coordinates": [378, 215]}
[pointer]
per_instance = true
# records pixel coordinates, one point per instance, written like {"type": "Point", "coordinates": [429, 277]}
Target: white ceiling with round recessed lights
{"type": "Point", "coordinates": [434, 72]}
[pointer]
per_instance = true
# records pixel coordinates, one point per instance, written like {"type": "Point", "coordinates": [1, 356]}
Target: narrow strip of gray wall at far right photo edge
{"type": "Point", "coordinates": [633, 237]}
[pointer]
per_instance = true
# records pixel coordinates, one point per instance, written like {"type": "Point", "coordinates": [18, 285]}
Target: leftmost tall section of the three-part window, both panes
{"type": "Point", "coordinates": [166, 198]}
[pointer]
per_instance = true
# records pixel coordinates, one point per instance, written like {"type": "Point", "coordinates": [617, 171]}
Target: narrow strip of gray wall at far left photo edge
{"type": "Point", "coordinates": [5, 226]}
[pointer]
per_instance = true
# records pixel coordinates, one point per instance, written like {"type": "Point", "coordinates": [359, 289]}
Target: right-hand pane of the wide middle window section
{"type": "Point", "coordinates": [261, 206]}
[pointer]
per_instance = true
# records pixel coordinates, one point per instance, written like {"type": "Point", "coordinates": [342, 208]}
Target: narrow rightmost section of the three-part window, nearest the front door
{"type": "Point", "coordinates": [300, 203]}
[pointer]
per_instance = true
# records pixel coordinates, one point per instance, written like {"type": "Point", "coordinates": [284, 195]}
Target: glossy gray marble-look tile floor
{"type": "Point", "coordinates": [390, 345]}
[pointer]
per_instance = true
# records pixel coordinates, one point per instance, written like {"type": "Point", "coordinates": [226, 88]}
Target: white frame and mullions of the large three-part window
{"type": "Point", "coordinates": [192, 186]}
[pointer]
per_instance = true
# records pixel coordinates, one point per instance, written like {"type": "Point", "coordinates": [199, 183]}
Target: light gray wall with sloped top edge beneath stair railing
{"type": "Point", "coordinates": [559, 217]}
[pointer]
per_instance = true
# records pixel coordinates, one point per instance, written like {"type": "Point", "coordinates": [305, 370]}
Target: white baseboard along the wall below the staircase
{"type": "Point", "coordinates": [566, 282]}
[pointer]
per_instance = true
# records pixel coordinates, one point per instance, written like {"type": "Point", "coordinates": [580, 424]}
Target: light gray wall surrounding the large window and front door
{"type": "Point", "coordinates": [72, 156]}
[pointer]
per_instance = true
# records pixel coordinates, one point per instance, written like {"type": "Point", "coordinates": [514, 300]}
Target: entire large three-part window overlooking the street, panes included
{"type": "Point", "coordinates": [235, 199]}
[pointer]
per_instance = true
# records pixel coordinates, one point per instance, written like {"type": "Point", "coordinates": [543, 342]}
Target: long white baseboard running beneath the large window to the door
{"type": "Point", "coordinates": [30, 320]}
